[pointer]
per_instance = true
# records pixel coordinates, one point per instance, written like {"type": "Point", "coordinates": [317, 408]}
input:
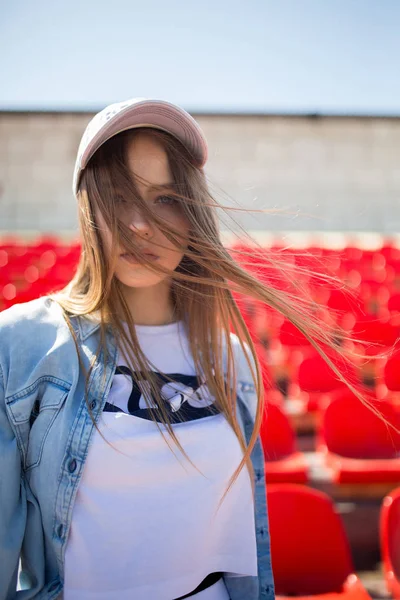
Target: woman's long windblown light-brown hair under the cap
{"type": "Point", "coordinates": [204, 286]}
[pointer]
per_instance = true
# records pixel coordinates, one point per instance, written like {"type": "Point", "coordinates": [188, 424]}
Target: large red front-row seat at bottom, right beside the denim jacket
{"type": "Point", "coordinates": [309, 548]}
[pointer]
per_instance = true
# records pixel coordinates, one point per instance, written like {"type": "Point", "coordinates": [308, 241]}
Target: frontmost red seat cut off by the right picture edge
{"type": "Point", "coordinates": [390, 541]}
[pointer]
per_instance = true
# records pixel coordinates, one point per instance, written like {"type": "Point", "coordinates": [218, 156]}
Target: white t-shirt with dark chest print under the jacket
{"type": "Point", "coordinates": [143, 524]}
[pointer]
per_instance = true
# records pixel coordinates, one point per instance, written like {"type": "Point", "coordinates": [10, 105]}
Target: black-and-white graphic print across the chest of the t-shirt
{"type": "Point", "coordinates": [186, 398]}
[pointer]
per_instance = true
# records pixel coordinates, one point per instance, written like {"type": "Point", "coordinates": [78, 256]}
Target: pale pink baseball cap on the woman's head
{"type": "Point", "coordinates": [140, 112]}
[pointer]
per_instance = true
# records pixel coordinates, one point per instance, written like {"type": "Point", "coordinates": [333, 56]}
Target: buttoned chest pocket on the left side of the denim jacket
{"type": "Point", "coordinates": [33, 411]}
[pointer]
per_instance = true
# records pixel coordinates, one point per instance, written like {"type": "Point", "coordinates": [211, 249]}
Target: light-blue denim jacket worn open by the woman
{"type": "Point", "coordinates": [45, 431]}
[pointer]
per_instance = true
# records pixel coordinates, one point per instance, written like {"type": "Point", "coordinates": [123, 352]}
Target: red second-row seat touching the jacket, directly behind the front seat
{"type": "Point", "coordinates": [283, 462]}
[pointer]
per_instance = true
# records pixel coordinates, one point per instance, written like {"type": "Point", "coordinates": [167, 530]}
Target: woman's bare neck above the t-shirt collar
{"type": "Point", "coordinates": [151, 305]}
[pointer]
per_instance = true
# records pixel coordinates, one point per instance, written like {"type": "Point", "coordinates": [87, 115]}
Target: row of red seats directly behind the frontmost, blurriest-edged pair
{"type": "Point", "coordinates": [356, 444]}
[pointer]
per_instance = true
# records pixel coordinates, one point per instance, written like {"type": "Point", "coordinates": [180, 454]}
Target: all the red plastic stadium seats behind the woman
{"type": "Point", "coordinates": [353, 443]}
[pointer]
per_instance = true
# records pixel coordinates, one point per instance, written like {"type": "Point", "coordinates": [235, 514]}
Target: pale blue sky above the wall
{"type": "Point", "coordinates": [289, 56]}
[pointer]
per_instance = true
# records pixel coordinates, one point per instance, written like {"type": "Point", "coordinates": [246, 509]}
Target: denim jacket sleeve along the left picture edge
{"type": "Point", "coordinates": [12, 502]}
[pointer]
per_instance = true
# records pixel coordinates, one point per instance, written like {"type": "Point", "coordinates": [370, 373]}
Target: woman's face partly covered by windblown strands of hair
{"type": "Point", "coordinates": [147, 160]}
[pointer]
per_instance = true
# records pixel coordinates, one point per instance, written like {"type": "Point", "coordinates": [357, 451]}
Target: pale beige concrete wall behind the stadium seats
{"type": "Point", "coordinates": [325, 173]}
